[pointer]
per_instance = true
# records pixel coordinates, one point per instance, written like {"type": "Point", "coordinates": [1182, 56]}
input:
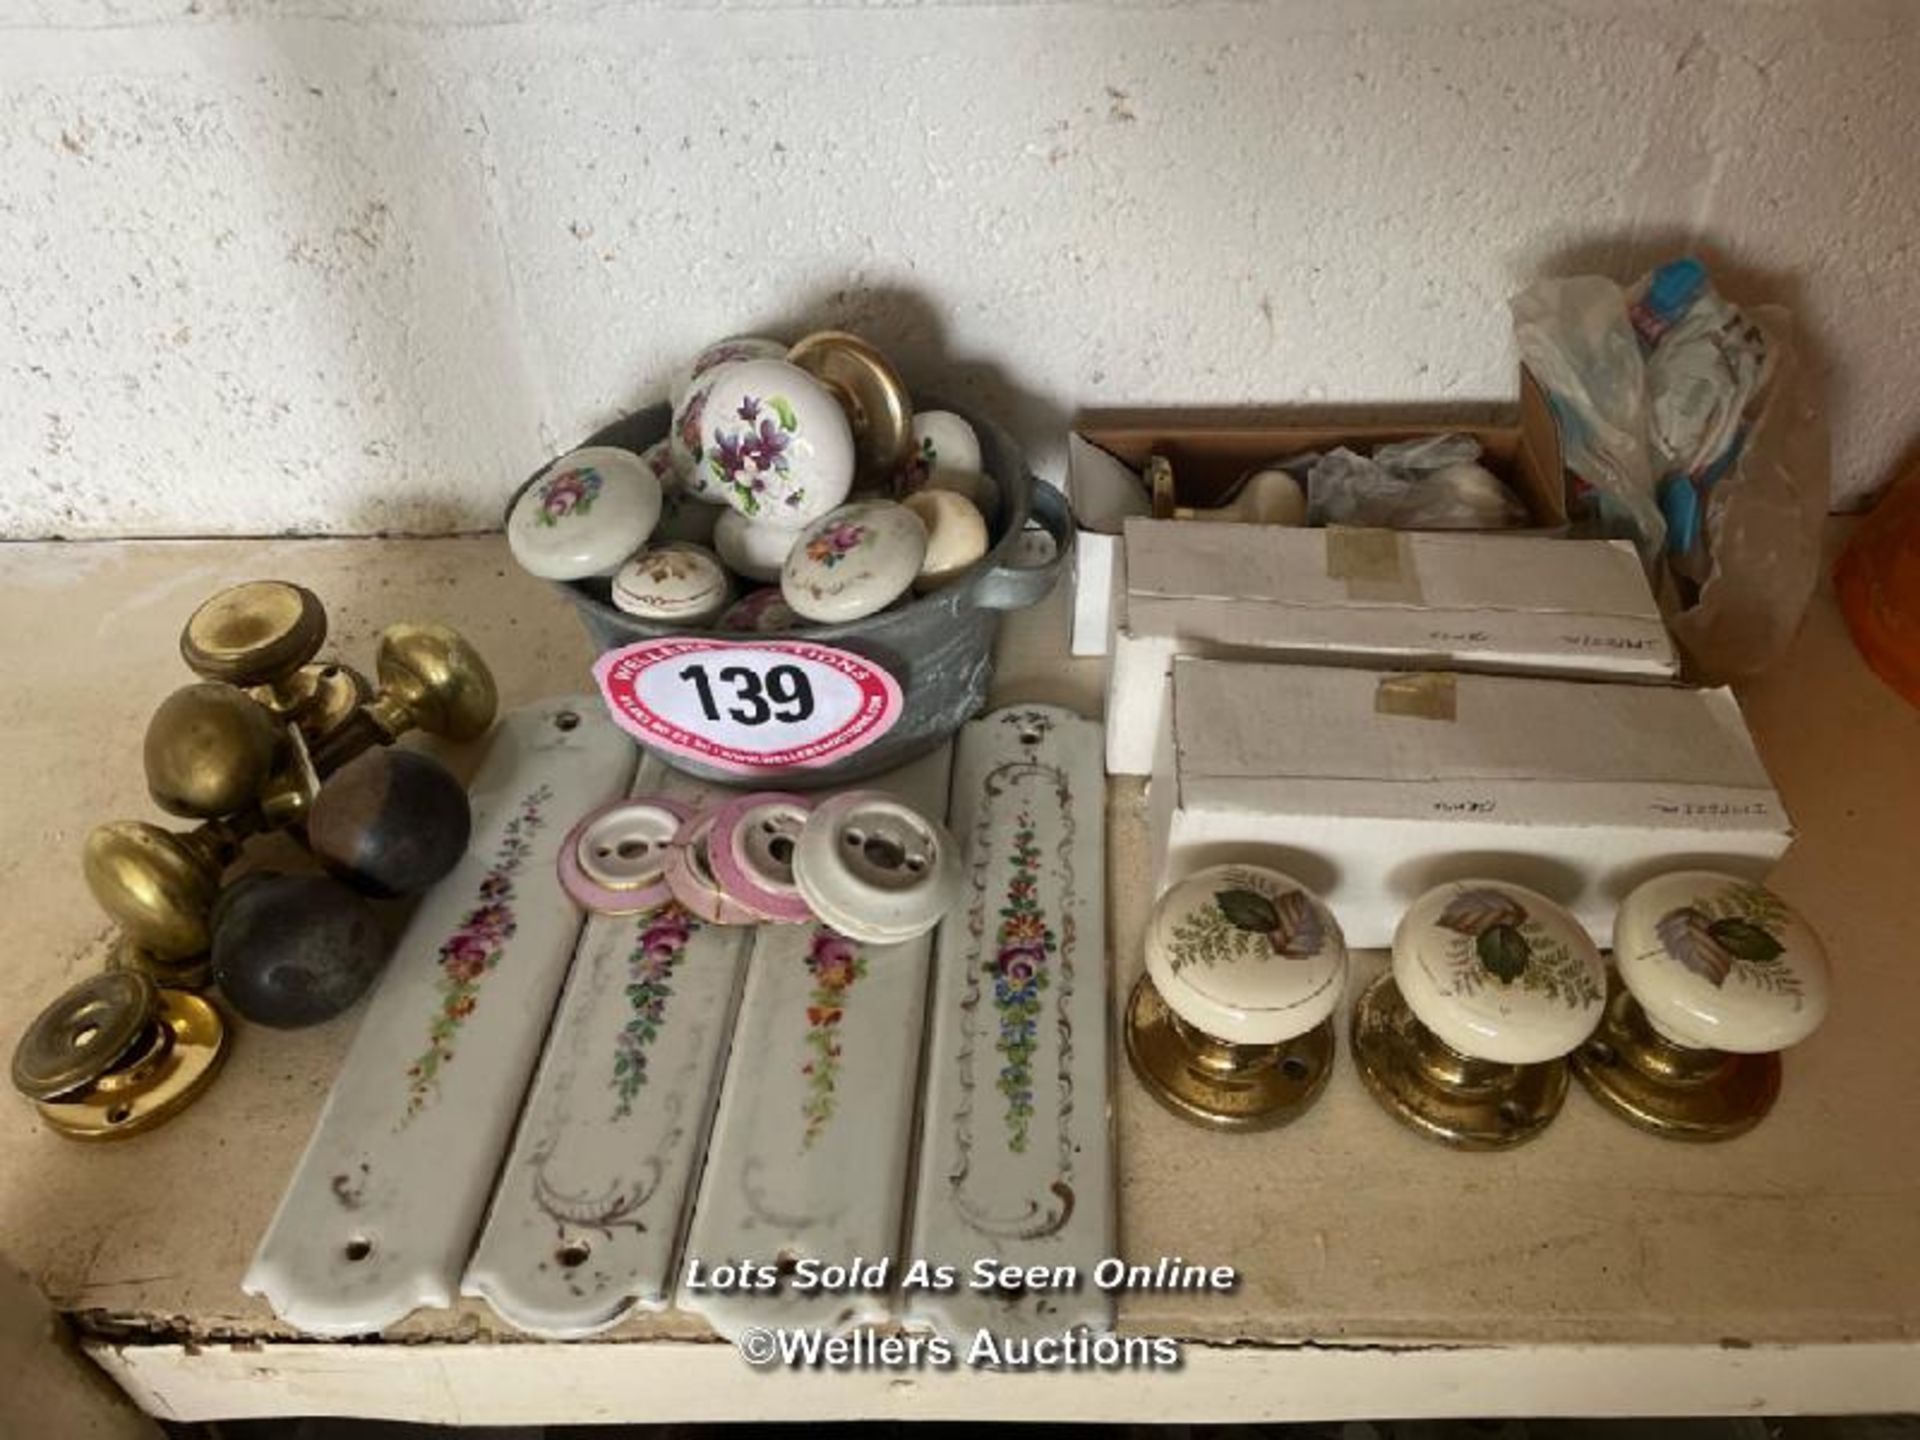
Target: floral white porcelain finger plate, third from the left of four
{"type": "Point", "coordinates": [809, 1155]}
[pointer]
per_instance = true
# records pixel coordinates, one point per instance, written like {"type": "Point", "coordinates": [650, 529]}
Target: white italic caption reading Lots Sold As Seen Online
{"type": "Point", "coordinates": [876, 1276]}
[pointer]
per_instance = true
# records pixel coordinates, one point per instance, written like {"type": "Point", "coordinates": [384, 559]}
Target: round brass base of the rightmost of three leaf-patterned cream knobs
{"type": "Point", "coordinates": [1662, 1088]}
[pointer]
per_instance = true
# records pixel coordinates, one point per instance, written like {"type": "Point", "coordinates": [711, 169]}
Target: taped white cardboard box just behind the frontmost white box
{"type": "Point", "coordinates": [1510, 606]}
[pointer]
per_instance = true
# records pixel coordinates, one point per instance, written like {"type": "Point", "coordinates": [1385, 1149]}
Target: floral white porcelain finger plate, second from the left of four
{"type": "Point", "coordinates": [592, 1201]}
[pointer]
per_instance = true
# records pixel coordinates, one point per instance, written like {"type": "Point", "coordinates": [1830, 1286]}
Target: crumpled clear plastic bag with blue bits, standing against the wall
{"type": "Point", "coordinates": [1706, 418]}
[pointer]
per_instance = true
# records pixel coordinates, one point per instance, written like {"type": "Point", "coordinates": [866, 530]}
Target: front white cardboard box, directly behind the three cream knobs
{"type": "Point", "coordinates": [1372, 788]}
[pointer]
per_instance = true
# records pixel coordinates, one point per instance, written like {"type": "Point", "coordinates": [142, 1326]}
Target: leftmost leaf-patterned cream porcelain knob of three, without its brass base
{"type": "Point", "coordinates": [1247, 955]}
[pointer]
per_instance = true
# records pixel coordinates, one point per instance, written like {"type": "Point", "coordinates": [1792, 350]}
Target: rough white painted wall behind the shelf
{"type": "Point", "coordinates": [345, 266]}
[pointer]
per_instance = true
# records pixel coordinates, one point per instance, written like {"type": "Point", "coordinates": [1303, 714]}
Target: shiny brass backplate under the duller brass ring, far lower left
{"type": "Point", "coordinates": [162, 1078]}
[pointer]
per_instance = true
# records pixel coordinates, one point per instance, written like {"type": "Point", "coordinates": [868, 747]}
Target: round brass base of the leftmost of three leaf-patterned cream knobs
{"type": "Point", "coordinates": [1226, 1088]}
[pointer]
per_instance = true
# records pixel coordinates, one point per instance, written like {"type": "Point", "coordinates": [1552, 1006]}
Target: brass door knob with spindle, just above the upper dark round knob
{"type": "Point", "coordinates": [433, 681]}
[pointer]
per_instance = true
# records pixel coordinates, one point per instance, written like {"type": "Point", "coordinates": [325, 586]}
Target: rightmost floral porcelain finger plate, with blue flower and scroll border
{"type": "Point", "coordinates": [1017, 1159]}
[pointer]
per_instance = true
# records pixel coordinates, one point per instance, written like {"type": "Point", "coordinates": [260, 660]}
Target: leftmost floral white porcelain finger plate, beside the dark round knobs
{"type": "Point", "coordinates": [385, 1205]}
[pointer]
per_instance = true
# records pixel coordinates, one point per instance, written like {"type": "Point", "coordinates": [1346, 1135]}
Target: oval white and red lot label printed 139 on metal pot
{"type": "Point", "coordinates": [750, 708]}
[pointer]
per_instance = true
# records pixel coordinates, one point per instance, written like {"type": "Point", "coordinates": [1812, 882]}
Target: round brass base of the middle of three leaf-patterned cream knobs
{"type": "Point", "coordinates": [1470, 1105]}
